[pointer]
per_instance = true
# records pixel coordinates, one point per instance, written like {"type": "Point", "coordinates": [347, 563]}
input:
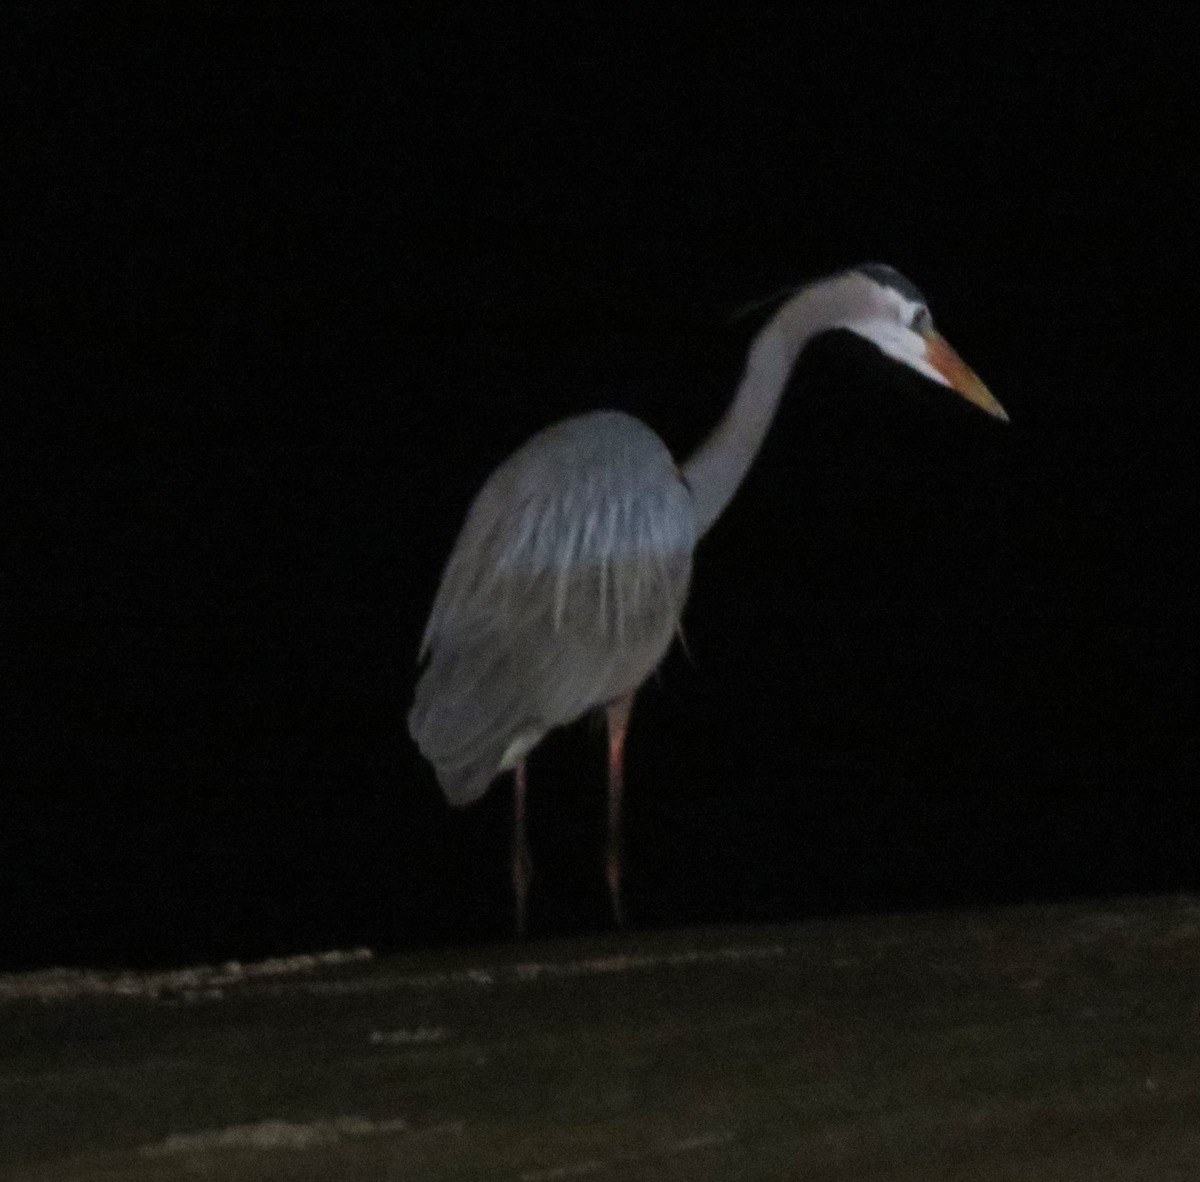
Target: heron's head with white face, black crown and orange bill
{"type": "Point", "coordinates": [891, 313]}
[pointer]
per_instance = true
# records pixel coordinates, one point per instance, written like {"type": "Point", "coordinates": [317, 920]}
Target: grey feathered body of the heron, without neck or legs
{"type": "Point", "coordinates": [562, 592]}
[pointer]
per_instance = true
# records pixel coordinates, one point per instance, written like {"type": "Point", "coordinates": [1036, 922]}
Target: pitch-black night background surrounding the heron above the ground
{"type": "Point", "coordinates": [287, 286]}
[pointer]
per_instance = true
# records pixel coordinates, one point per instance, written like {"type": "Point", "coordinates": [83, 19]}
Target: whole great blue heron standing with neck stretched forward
{"type": "Point", "coordinates": [568, 580]}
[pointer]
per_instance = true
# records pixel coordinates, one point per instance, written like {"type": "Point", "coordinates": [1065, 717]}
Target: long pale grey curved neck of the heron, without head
{"type": "Point", "coordinates": [719, 466]}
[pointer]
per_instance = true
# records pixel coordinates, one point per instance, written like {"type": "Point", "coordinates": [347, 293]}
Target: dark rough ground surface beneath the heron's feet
{"type": "Point", "coordinates": [1040, 1043]}
